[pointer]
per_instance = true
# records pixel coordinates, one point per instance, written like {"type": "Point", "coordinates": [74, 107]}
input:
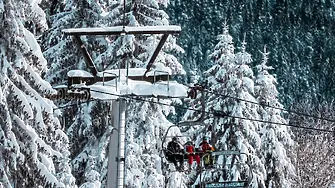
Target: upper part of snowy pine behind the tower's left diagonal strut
{"type": "Point", "coordinates": [60, 51]}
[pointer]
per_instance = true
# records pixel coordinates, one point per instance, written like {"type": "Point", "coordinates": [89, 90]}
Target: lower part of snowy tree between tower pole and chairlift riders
{"type": "Point", "coordinates": [145, 129]}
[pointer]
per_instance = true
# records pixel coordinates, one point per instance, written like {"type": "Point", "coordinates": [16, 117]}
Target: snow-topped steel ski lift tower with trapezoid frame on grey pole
{"type": "Point", "coordinates": [148, 81]}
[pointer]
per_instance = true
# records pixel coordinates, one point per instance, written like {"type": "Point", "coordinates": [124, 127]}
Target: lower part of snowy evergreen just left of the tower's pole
{"type": "Point", "coordinates": [89, 133]}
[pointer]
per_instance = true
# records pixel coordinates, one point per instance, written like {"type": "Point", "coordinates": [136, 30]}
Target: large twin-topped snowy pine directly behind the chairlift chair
{"type": "Point", "coordinates": [230, 127]}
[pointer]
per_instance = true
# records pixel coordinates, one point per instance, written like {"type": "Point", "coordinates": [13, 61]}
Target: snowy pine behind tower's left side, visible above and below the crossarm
{"type": "Point", "coordinates": [86, 124]}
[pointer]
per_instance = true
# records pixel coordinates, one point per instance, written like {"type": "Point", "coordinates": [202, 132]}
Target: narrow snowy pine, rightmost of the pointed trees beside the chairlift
{"type": "Point", "coordinates": [276, 139]}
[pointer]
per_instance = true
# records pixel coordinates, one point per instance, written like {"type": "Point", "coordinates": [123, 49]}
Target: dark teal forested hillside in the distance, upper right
{"type": "Point", "coordinates": [299, 35]}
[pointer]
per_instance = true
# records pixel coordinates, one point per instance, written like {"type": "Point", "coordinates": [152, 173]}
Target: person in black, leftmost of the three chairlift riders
{"type": "Point", "coordinates": [175, 153]}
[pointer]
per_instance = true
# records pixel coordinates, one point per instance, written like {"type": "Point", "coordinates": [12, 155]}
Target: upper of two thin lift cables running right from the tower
{"type": "Point", "coordinates": [269, 106]}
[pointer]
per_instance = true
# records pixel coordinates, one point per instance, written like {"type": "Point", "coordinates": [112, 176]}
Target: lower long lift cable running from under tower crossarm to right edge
{"type": "Point", "coordinates": [218, 113]}
